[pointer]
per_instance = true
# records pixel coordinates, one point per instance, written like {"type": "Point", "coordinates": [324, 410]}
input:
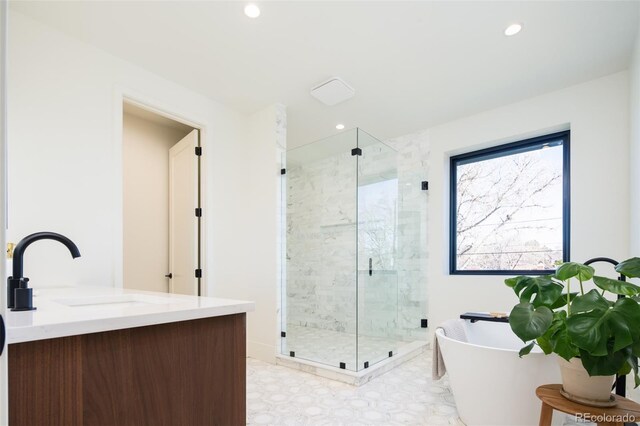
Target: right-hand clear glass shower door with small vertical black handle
{"type": "Point", "coordinates": [377, 247]}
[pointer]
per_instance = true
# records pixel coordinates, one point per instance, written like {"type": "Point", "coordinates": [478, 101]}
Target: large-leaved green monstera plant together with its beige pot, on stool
{"type": "Point", "coordinates": [595, 337]}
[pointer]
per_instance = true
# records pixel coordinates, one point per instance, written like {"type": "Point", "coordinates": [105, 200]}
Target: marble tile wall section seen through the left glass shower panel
{"type": "Point", "coordinates": [320, 244]}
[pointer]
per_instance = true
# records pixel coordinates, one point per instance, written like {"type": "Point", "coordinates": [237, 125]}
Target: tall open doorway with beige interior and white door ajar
{"type": "Point", "coordinates": [161, 203]}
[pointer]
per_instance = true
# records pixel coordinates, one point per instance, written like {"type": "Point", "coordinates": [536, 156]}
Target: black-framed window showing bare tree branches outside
{"type": "Point", "coordinates": [510, 208]}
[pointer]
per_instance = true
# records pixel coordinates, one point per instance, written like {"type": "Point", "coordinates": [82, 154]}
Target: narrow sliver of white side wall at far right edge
{"type": "Point", "coordinates": [634, 77]}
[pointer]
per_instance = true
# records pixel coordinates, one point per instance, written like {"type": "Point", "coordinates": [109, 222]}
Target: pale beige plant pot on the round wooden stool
{"type": "Point", "coordinates": [578, 386]}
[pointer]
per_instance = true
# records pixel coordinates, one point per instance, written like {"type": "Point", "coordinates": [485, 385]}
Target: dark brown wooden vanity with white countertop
{"type": "Point", "coordinates": [106, 356]}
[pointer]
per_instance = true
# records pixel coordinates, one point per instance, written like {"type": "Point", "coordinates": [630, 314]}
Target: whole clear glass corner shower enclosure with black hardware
{"type": "Point", "coordinates": [352, 292]}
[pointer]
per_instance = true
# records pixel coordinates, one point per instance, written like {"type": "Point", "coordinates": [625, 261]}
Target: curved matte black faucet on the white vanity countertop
{"type": "Point", "coordinates": [19, 295]}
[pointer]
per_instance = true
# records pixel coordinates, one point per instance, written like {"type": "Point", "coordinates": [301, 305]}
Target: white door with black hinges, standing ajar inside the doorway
{"type": "Point", "coordinates": [183, 223]}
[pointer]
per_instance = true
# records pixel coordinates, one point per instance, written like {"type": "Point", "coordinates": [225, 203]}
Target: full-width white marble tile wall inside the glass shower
{"type": "Point", "coordinates": [321, 244]}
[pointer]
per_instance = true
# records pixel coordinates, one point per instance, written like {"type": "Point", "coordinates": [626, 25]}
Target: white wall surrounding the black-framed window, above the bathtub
{"type": "Point", "coordinates": [598, 115]}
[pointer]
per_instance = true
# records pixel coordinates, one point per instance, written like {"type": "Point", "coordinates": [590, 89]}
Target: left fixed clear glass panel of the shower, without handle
{"type": "Point", "coordinates": [320, 291]}
